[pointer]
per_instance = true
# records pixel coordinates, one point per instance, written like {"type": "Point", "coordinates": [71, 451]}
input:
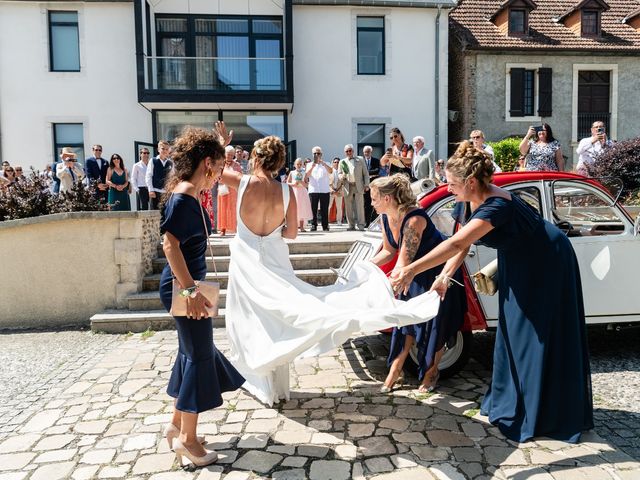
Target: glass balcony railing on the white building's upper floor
{"type": "Point", "coordinates": [215, 74]}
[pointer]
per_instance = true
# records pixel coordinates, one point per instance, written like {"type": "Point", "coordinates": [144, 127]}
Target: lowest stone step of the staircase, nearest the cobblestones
{"type": "Point", "coordinates": [124, 321]}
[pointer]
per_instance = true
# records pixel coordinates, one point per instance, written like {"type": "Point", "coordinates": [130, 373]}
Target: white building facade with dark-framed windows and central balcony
{"type": "Point", "coordinates": [129, 73]}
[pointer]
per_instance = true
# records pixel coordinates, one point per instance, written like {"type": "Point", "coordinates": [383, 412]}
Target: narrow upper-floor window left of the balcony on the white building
{"type": "Point", "coordinates": [64, 42]}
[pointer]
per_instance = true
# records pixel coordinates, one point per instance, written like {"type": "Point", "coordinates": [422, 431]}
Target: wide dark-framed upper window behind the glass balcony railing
{"type": "Point", "coordinates": [210, 53]}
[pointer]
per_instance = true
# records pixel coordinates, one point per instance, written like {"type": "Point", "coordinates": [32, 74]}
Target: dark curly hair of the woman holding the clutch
{"type": "Point", "coordinates": [189, 150]}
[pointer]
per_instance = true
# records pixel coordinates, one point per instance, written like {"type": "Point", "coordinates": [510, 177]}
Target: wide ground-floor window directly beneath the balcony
{"type": "Point", "coordinates": [247, 126]}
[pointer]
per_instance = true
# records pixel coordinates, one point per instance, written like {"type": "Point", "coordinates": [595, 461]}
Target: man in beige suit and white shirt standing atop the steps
{"type": "Point", "coordinates": [353, 171]}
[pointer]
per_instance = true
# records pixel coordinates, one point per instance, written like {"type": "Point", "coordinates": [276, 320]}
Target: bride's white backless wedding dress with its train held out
{"type": "Point", "coordinates": [273, 317]}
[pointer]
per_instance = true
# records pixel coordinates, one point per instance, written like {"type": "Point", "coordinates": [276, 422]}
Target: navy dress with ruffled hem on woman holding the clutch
{"type": "Point", "coordinates": [201, 373]}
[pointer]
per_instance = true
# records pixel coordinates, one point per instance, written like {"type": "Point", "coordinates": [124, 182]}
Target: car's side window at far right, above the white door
{"type": "Point", "coordinates": [586, 211]}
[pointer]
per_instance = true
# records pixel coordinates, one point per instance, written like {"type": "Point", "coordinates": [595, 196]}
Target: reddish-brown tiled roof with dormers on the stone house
{"type": "Point", "coordinates": [470, 22]}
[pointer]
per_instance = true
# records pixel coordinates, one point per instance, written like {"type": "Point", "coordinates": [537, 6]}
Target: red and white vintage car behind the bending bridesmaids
{"type": "Point", "coordinates": [603, 233]}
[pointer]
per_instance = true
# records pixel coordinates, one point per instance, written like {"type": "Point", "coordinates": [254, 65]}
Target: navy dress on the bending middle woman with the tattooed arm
{"type": "Point", "coordinates": [432, 335]}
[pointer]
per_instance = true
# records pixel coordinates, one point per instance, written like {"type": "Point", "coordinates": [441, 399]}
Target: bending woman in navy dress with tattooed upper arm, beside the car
{"type": "Point", "coordinates": [410, 233]}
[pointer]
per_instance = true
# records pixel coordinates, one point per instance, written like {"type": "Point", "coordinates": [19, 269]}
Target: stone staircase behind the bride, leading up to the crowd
{"type": "Point", "coordinates": [312, 255]}
